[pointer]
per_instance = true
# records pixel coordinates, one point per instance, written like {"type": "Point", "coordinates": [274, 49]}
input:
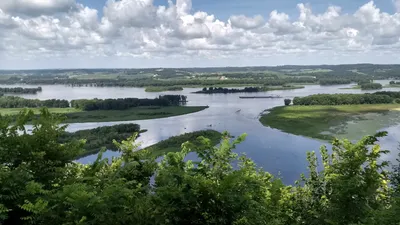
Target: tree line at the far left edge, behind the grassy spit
{"type": "Point", "coordinates": [18, 102]}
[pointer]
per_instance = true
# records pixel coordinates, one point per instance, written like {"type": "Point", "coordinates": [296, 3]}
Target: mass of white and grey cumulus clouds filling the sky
{"type": "Point", "coordinates": [63, 29]}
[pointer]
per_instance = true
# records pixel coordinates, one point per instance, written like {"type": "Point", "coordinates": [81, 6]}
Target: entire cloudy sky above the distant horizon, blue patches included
{"type": "Point", "coordinates": [42, 34]}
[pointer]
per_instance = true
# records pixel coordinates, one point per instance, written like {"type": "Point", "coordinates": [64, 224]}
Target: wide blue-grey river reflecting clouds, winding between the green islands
{"type": "Point", "coordinates": [275, 151]}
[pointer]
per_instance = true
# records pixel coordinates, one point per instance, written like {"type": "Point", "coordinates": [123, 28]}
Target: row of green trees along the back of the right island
{"type": "Point", "coordinates": [343, 99]}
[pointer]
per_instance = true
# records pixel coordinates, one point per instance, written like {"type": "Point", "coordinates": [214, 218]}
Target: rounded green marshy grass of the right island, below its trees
{"type": "Point", "coordinates": [318, 121]}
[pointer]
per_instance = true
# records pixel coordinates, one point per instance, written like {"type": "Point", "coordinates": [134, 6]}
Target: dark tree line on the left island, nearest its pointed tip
{"type": "Point", "coordinates": [126, 103]}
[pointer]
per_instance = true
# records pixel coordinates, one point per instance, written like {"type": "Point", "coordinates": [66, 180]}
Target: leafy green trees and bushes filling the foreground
{"type": "Point", "coordinates": [42, 184]}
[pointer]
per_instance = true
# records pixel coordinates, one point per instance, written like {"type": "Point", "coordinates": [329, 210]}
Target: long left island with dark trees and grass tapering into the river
{"type": "Point", "coordinates": [103, 110]}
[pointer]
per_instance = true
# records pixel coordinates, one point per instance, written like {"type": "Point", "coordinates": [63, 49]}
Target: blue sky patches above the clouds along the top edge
{"type": "Point", "coordinates": [222, 9]}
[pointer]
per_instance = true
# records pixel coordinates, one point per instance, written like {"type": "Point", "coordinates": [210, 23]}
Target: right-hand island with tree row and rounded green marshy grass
{"type": "Point", "coordinates": [324, 116]}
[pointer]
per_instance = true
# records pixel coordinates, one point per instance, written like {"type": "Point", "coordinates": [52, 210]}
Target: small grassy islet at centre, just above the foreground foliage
{"type": "Point", "coordinates": [174, 144]}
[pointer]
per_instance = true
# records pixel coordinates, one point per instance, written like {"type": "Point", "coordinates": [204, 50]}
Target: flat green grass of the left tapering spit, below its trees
{"type": "Point", "coordinates": [138, 113]}
